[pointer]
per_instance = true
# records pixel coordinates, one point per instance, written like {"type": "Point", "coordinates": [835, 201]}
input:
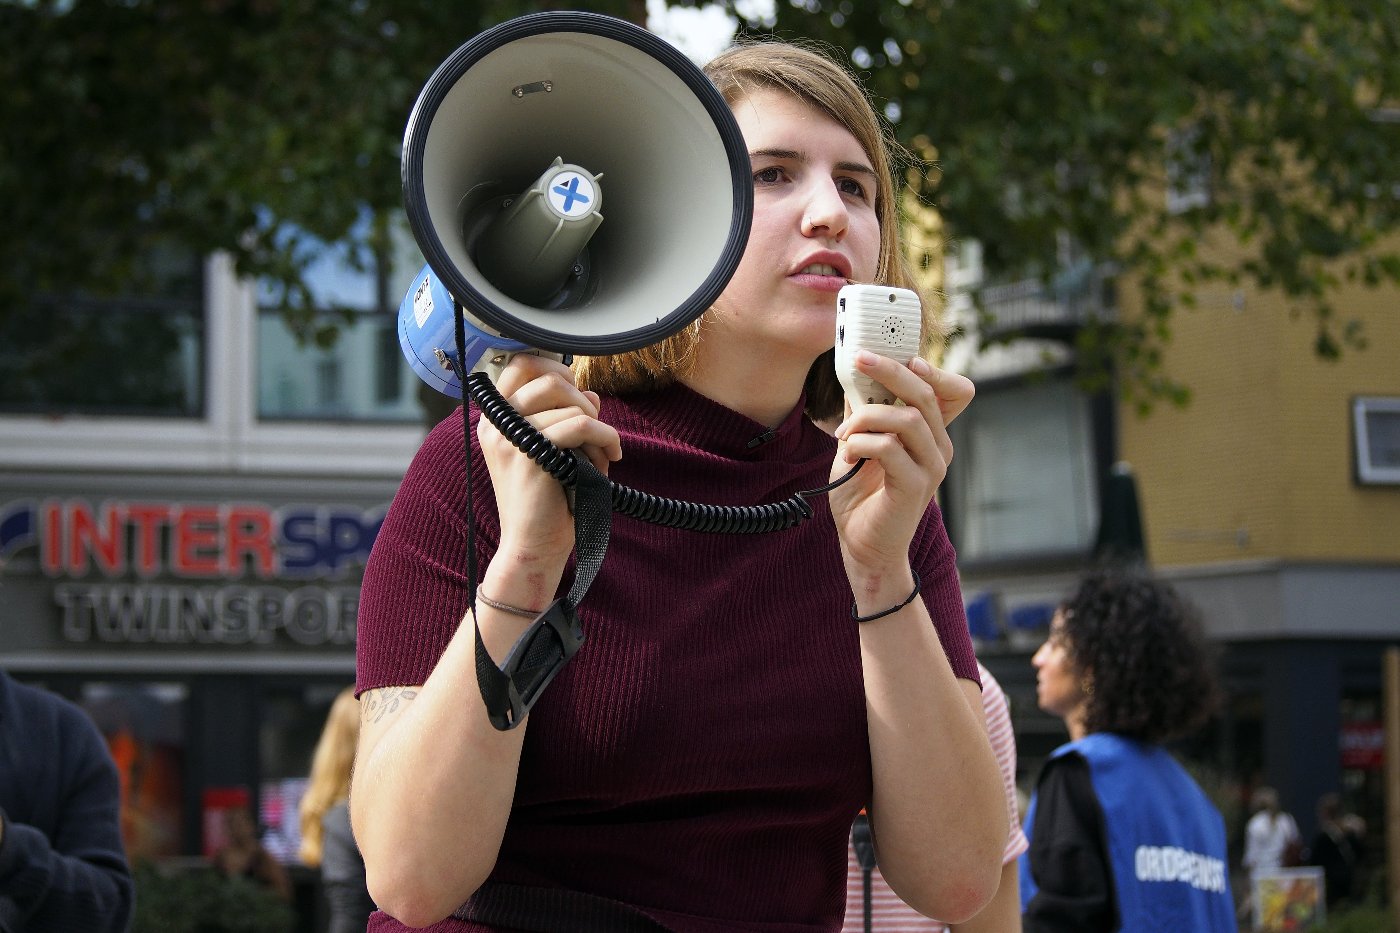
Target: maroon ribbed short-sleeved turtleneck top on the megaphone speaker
{"type": "Point", "coordinates": [705, 753]}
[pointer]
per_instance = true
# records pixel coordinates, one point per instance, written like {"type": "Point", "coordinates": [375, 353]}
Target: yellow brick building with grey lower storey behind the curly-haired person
{"type": "Point", "coordinates": [1272, 499]}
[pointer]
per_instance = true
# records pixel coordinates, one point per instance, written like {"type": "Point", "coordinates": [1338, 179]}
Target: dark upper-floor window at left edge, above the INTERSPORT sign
{"type": "Point", "coordinates": [139, 352]}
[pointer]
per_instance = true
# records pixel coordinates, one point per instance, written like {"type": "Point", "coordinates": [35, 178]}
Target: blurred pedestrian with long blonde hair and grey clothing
{"type": "Point", "coordinates": [327, 843]}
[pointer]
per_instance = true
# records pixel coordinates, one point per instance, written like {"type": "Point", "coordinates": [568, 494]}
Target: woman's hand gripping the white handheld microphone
{"type": "Point", "coordinates": [908, 450]}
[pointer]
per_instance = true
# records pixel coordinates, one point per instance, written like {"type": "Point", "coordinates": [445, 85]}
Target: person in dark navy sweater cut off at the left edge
{"type": "Point", "coordinates": [62, 861]}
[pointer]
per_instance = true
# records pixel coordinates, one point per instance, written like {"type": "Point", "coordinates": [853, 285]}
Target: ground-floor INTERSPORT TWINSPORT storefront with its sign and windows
{"type": "Point", "coordinates": [206, 624]}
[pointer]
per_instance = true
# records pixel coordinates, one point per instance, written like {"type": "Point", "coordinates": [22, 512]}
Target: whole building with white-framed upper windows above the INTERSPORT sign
{"type": "Point", "coordinates": [187, 567]}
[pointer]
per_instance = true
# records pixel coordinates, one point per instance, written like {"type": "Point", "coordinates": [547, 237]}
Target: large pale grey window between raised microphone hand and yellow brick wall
{"type": "Point", "coordinates": [1023, 483]}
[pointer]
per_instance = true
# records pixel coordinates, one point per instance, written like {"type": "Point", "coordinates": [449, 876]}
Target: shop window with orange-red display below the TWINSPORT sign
{"type": "Point", "coordinates": [145, 729]}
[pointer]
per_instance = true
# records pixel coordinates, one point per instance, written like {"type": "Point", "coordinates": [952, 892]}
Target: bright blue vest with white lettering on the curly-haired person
{"type": "Point", "coordinates": [1167, 840]}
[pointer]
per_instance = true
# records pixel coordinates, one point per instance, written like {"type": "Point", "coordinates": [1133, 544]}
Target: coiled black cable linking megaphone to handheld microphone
{"type": "Point", "coordinates": [633, 504]}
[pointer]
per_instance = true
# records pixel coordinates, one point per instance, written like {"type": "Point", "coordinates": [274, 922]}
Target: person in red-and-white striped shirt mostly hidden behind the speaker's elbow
{"type": "Point", "coordinates": [887, 914]}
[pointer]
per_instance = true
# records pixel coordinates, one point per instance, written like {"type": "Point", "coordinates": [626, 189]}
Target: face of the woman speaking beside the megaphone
{"type": "Point", "coordinates": [814, 223]}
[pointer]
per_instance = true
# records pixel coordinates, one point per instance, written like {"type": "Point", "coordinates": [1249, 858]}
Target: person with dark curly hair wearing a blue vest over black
{"type": "Point", "coordinates": [1122, 838]}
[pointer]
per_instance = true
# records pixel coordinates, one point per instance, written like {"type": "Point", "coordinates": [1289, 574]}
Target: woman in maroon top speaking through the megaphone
{"type": "Point", "coordinates": [698, 766]}
